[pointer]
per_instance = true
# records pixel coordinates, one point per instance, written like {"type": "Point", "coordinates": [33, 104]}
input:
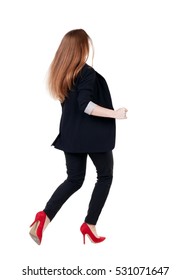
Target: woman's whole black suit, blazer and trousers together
{"type": "Point", "coordinates": [80, 135]}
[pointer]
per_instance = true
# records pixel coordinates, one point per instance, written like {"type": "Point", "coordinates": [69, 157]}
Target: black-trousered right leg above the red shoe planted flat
{"type": "Point", "coordinates": [104, 167]}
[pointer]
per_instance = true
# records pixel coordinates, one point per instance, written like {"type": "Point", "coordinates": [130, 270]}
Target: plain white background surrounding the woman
{"type": "Point", "coordinates": [142, 49]}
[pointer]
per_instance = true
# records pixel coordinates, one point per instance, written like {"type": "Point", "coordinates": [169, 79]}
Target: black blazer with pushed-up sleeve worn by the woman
{"type": "Point", "coordinates": [80, 132]}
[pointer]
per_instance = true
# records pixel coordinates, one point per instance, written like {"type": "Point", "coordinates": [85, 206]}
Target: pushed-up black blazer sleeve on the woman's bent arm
{"type": "Point", "coordinates": [85, 87]}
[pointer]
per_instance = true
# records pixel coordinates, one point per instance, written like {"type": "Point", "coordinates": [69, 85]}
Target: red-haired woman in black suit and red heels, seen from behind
{"type": "Point", "coordinates": [87, 128]}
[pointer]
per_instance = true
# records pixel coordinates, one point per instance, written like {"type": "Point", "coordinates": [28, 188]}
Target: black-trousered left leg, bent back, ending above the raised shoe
{"type": "Point", "coordinates": [76, 169]}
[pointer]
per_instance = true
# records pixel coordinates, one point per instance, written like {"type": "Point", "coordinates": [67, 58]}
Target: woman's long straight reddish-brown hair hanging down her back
{"type": "Point", "coordinates": [69, 59]}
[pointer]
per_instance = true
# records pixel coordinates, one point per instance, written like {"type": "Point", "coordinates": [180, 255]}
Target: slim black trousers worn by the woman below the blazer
{"type": "Point", "coordinates": [76, 169]}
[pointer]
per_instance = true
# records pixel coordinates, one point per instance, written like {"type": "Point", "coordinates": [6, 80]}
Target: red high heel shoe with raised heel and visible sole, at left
{"type": "Point", "coordinates": [38, 226]}
